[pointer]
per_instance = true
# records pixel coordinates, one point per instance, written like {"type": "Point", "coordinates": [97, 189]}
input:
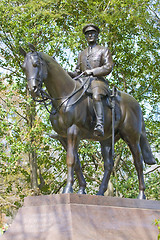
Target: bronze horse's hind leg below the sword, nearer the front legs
{"type": "Point", "coordinates": [106, 149]}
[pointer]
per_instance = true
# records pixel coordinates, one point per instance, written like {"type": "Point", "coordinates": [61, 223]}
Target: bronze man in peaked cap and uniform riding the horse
{"type": "Point", "coordinates": [96, 62]}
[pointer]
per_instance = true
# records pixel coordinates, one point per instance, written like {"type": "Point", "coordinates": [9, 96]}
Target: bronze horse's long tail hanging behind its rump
{"type": "Point", "coordinates": [145, 147]}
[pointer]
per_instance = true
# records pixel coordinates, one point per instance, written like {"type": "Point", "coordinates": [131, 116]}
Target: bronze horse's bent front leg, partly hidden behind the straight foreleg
{"type": "Point", "coordinates": [77, 168]}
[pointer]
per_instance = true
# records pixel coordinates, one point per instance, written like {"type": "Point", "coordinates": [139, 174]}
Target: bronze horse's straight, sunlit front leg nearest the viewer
{"type": "Point", "coordinates": [72, 146]}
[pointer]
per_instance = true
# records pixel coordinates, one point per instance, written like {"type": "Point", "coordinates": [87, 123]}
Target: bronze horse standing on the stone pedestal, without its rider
{"type": "Point", "coordinates": [73, 118]}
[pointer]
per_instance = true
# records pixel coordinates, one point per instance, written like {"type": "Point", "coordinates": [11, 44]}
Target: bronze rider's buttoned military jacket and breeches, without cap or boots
{"type": "Point", "coordinates": [99, 60]}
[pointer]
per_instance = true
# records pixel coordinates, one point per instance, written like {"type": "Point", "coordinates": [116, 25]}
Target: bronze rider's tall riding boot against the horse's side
{"type": "Point", "coordinates": [99, 128]}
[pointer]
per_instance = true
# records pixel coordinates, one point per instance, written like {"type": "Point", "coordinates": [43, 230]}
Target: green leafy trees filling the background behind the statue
{"type": "Point", "coordinates": [131, 30]}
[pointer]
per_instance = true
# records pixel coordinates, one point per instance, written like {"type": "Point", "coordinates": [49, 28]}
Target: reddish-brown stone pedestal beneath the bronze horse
{"type": "Point", "coordinates": [84, 217]}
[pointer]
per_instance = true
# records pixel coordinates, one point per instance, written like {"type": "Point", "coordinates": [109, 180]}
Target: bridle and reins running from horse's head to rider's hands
{"type": "Point", "coordinates": [45, 96]}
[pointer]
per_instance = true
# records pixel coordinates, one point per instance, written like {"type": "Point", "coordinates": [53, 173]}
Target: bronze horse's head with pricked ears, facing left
{"type": "Point", "coordinates": [34, 69]}
